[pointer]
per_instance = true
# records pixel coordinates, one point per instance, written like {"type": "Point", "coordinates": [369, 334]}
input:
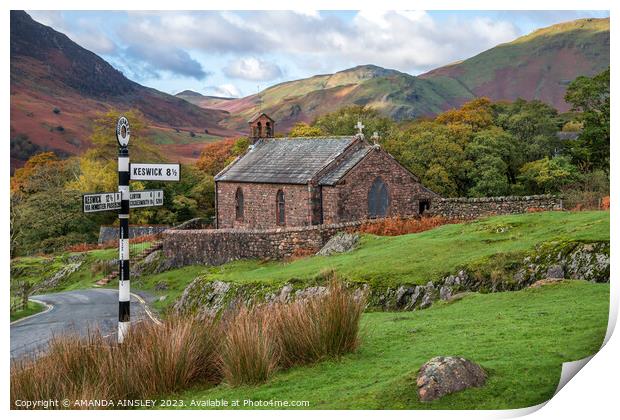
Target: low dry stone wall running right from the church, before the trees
{"type": "Point", "coordinates": [471, 208]}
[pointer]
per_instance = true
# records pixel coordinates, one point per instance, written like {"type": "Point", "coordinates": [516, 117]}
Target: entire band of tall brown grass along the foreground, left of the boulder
{"type": "Point", "coordinates": [245, 346]}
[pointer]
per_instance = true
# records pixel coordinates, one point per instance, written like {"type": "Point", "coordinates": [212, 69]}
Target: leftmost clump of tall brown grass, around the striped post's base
{"type": "Point", "coordinates": [154, 360]}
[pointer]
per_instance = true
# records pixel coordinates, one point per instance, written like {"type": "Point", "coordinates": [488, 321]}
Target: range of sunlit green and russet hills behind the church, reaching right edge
{"type": "Point", "coordinates": [536, 66]}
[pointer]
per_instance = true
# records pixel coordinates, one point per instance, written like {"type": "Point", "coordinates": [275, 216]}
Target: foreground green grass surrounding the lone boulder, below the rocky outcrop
{"type": "Point", "coordinates": [520, 338]}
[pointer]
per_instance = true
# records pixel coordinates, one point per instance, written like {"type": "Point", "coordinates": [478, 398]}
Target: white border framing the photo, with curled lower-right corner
{"type": "Point", "coordinates": [592, 393]}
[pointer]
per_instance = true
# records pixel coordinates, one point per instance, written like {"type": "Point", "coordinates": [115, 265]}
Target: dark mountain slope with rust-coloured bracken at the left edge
{"type": "Point", "coordinates": [49, 71]}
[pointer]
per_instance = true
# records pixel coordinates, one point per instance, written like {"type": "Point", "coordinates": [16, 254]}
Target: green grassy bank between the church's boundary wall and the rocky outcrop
{"type": "Point", "coordinates": [418, 258]}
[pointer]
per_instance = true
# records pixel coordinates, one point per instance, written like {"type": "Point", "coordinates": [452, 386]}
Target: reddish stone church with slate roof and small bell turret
{"type": "Point", "coordinates": [287, 182]}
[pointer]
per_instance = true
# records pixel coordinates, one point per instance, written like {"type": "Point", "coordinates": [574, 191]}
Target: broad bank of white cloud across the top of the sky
{"type": "Point", "coordinates": [410, 41]}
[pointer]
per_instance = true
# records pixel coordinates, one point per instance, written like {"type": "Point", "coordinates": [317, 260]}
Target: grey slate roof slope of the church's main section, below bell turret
{"type": "Point", "coordinates": [288, 160]}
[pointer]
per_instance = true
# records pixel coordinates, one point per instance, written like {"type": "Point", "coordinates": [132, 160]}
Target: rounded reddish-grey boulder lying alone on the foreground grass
{"type": "Point", "coordinates": [447, 374]}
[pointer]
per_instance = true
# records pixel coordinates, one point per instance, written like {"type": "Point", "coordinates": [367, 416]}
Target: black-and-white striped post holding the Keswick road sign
{"type": "Point", "coordinates": [123, 244]}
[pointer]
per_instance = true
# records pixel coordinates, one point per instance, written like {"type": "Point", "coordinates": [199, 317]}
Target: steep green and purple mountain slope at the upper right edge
{"type": "Point", "coordinates": [536, 66]}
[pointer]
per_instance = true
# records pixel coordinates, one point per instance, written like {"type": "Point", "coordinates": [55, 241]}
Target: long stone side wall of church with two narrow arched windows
{"type": "Point", "coordinates": [259, 202]}
